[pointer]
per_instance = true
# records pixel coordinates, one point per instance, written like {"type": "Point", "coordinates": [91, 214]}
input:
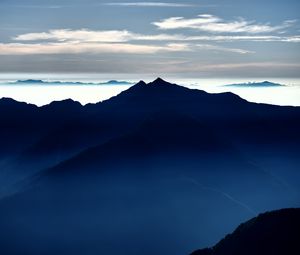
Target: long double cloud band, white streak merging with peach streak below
{"type": "Point", "coordinates": [67, 41]}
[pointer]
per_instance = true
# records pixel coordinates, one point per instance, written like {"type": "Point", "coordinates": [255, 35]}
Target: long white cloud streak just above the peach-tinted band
{"type": "Point", "coordinates": [85, 35]}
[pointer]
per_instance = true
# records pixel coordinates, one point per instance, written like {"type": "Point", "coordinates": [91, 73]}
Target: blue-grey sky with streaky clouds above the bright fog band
{"type": "Point", "coordinates": [190, 39]}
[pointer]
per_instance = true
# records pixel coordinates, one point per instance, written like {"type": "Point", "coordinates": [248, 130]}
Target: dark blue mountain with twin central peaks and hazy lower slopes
{"type": "Point", "coordinates": [158, 169]}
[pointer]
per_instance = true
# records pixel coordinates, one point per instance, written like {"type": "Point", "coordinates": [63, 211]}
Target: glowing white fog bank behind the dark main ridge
{"type": "Point", "coordinates": [42, 94]}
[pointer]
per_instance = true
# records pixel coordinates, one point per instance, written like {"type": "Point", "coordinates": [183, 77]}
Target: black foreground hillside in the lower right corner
{"type": "Point", "coordinates": [272, 233]}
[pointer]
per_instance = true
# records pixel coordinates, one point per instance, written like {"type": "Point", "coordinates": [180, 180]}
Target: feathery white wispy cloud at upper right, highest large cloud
{"type": "Point", "coordinates": [214, 24]}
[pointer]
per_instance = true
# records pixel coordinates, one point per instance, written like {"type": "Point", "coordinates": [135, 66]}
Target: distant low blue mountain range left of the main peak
{"type": "Point", "coordinates": [31, 82]}
